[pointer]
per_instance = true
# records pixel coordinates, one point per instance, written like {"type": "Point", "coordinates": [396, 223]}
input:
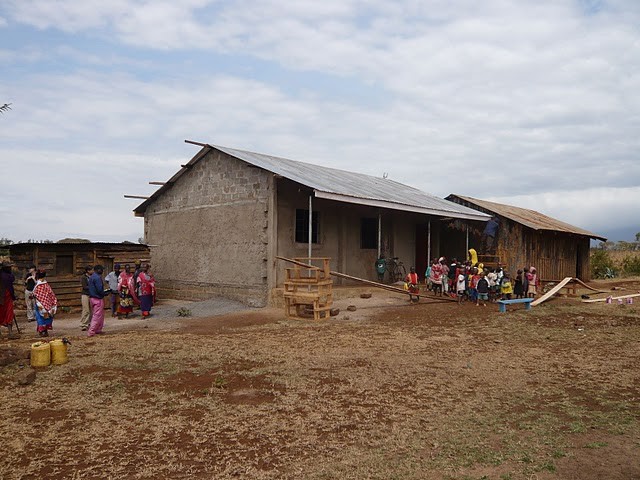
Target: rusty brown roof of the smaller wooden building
{"type": "Point", "coordinates": [528, 218]}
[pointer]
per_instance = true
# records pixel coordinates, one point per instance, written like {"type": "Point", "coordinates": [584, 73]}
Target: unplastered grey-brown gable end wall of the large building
{"type": "Point", "coordinates": [209, 232]}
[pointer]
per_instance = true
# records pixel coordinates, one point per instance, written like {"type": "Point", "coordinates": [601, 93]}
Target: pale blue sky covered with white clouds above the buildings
{"type": "Point", "coordinates": [531, 103]}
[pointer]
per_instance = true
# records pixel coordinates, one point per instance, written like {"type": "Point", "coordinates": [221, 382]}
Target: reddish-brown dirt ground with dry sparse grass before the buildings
{"type": "Point", "coordinates": [390, 391]}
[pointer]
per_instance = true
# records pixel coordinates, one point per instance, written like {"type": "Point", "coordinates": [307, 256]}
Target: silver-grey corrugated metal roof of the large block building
{"type": "Point", "coordinates": [342, 185]}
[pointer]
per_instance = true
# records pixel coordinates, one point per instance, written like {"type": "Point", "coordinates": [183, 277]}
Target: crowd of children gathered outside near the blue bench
{"type": "Point", "coordinates": [479, 284]}
